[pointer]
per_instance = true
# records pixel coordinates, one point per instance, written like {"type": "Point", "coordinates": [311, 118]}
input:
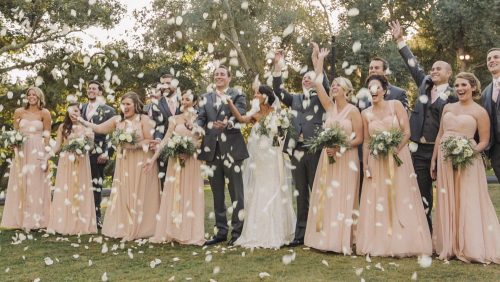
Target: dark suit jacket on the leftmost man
{"type": "Point", "coordinates": [102, 114]}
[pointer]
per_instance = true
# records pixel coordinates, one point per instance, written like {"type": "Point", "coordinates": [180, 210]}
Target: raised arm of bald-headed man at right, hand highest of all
{"type": "Point", "coordinates": [416, 71]}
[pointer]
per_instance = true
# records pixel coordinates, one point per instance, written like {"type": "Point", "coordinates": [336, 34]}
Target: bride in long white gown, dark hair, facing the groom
{"type": "Point", "coordinates": [269, 215]}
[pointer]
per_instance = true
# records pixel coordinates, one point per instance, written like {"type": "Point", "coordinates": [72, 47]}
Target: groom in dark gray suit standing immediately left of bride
{"type": "Point", "coordinates": [223, 148]}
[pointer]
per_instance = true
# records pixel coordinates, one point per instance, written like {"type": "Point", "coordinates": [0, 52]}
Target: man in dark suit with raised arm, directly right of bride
{"type": "Point", "coordinates": [309, 118]}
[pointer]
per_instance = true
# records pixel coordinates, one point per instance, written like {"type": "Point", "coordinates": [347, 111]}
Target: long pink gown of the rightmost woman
{"type": "Point", "coordinates": [465, 223]}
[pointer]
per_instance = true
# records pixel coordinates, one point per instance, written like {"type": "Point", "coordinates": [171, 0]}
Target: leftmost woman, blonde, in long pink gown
{"type": "Point", "coordinates": [27, 204]}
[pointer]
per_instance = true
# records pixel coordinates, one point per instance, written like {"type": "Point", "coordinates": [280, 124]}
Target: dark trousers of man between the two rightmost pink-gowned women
{"type": "Point", "coordinates": [422, 164]}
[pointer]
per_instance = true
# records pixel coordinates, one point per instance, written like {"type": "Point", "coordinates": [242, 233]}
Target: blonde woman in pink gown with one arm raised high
{"type": "Point", "coordinates": [336, 186]}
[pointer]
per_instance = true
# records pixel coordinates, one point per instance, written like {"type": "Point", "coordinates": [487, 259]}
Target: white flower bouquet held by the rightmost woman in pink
{"type": "Point", "coordinates": [459, 150]}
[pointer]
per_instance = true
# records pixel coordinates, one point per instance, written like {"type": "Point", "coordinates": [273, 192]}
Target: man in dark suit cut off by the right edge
{"type": "Point", "coordinates": [491, 102]}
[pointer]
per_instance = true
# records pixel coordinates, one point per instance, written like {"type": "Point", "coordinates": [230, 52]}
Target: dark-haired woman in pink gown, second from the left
{"type": "Point", "coordinates": [72, 211]}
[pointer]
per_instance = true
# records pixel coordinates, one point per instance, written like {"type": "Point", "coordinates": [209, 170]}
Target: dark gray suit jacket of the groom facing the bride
{"type": "Point", "coordinates": [230, 139]}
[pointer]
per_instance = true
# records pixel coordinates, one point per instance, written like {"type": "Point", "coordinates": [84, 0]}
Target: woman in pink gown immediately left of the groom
{"type": "Point", "coordinates": [182, 209]}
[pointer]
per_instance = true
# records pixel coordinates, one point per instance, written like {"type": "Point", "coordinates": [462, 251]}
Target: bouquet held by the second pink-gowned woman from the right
{"type": "Point", "coordinates": [384, 142]}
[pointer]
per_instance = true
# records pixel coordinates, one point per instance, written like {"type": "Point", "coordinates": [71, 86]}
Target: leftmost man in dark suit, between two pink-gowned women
{"type": "Point", "coordinates": [96, 111]}
